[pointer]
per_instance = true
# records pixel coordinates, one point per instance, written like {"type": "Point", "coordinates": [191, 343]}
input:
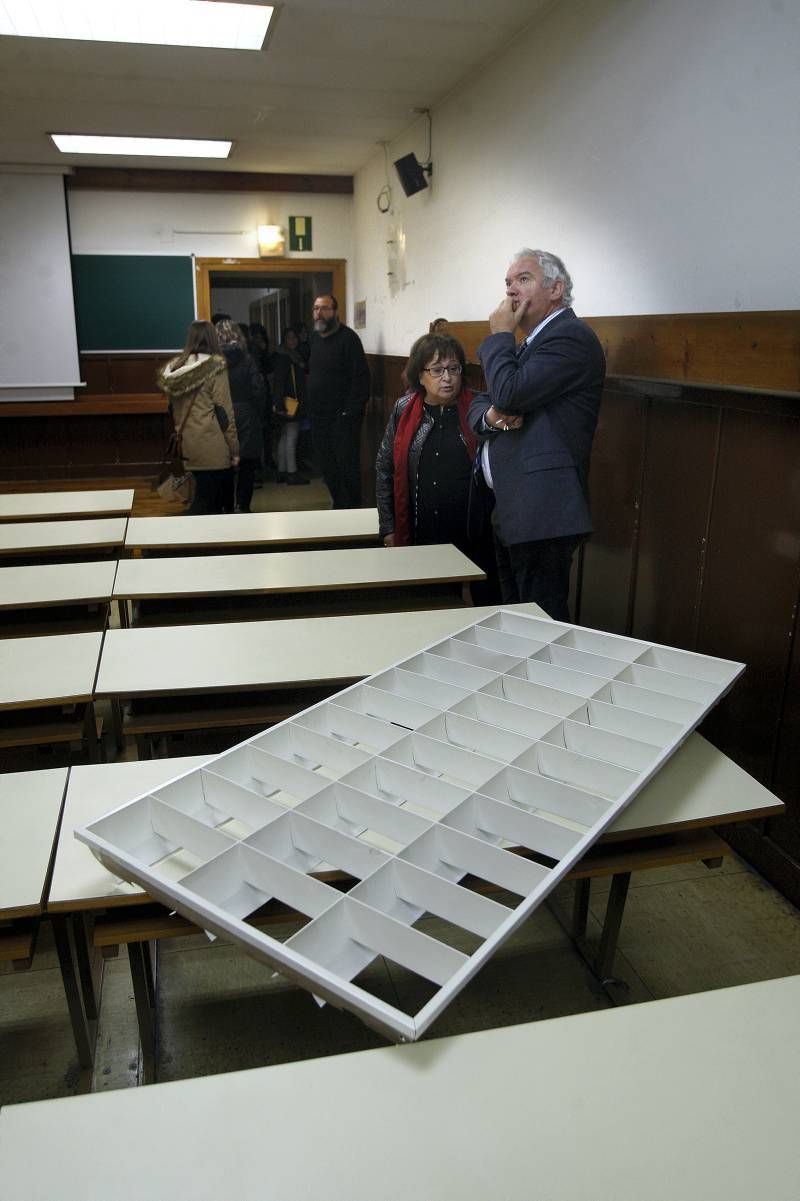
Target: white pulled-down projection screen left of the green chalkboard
{"type": "Point", "coordinates": [39, 350]}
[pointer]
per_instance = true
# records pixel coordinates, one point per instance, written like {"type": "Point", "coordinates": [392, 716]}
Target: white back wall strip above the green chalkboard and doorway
{"type": "Point", "coordinates": [208, 225]}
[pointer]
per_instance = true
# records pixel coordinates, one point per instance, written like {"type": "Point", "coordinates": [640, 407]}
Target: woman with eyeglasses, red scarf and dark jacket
{"type": "Point", "coordinates": [425, 464]}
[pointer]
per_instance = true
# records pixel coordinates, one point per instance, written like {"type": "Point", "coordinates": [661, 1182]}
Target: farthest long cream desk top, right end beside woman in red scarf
{"type": "Point", "coordinates": [249, 529]}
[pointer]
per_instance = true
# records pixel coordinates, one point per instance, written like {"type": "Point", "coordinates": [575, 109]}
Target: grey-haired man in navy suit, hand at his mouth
{"type": "Point", "coordinates": [538, 422]}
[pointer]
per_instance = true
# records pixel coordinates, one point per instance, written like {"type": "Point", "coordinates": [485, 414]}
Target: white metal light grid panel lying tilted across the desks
{"type": "Point", "coordinates": [499, 754]}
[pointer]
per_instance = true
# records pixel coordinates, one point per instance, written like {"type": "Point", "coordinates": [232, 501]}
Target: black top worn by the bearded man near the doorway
{"type": "Point", "coordinates": [339, 379]}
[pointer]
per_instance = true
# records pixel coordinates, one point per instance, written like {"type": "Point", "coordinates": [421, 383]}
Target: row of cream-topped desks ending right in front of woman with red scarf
{"type": "Point", "coordinates": [61, 597]}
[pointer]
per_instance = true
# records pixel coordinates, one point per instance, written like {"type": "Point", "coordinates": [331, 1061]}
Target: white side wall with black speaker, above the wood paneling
{"type": "Point", "coordinates": [652, 144]}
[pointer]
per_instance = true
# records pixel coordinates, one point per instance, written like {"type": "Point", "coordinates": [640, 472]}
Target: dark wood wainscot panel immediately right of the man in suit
{"type": "Point", "coordinates": [616, 485]}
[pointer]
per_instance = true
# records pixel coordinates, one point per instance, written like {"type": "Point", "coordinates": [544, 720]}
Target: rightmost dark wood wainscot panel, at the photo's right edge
{"type": "Point", "coordinates": [750, 583]}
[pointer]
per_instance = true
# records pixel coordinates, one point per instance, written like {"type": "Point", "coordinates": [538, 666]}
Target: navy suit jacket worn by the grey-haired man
{"type": "Point", "coordinates": [541, 471]}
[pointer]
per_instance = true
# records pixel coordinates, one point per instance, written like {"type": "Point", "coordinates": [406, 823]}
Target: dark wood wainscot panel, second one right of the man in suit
{"type": "Point", "coordinates": [682, 455]}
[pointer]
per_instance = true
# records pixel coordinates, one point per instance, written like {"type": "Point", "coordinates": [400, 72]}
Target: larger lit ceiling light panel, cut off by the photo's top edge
{"type": "Point", "coordinates": [210, 23]}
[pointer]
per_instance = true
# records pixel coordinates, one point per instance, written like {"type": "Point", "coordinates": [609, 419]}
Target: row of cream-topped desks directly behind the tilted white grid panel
{"type": "Point", "coordinates": [168, 679]}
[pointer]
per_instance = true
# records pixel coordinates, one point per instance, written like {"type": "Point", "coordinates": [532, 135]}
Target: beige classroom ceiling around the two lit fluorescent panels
{"type": "Point", "coordinates": [337, 77]}
